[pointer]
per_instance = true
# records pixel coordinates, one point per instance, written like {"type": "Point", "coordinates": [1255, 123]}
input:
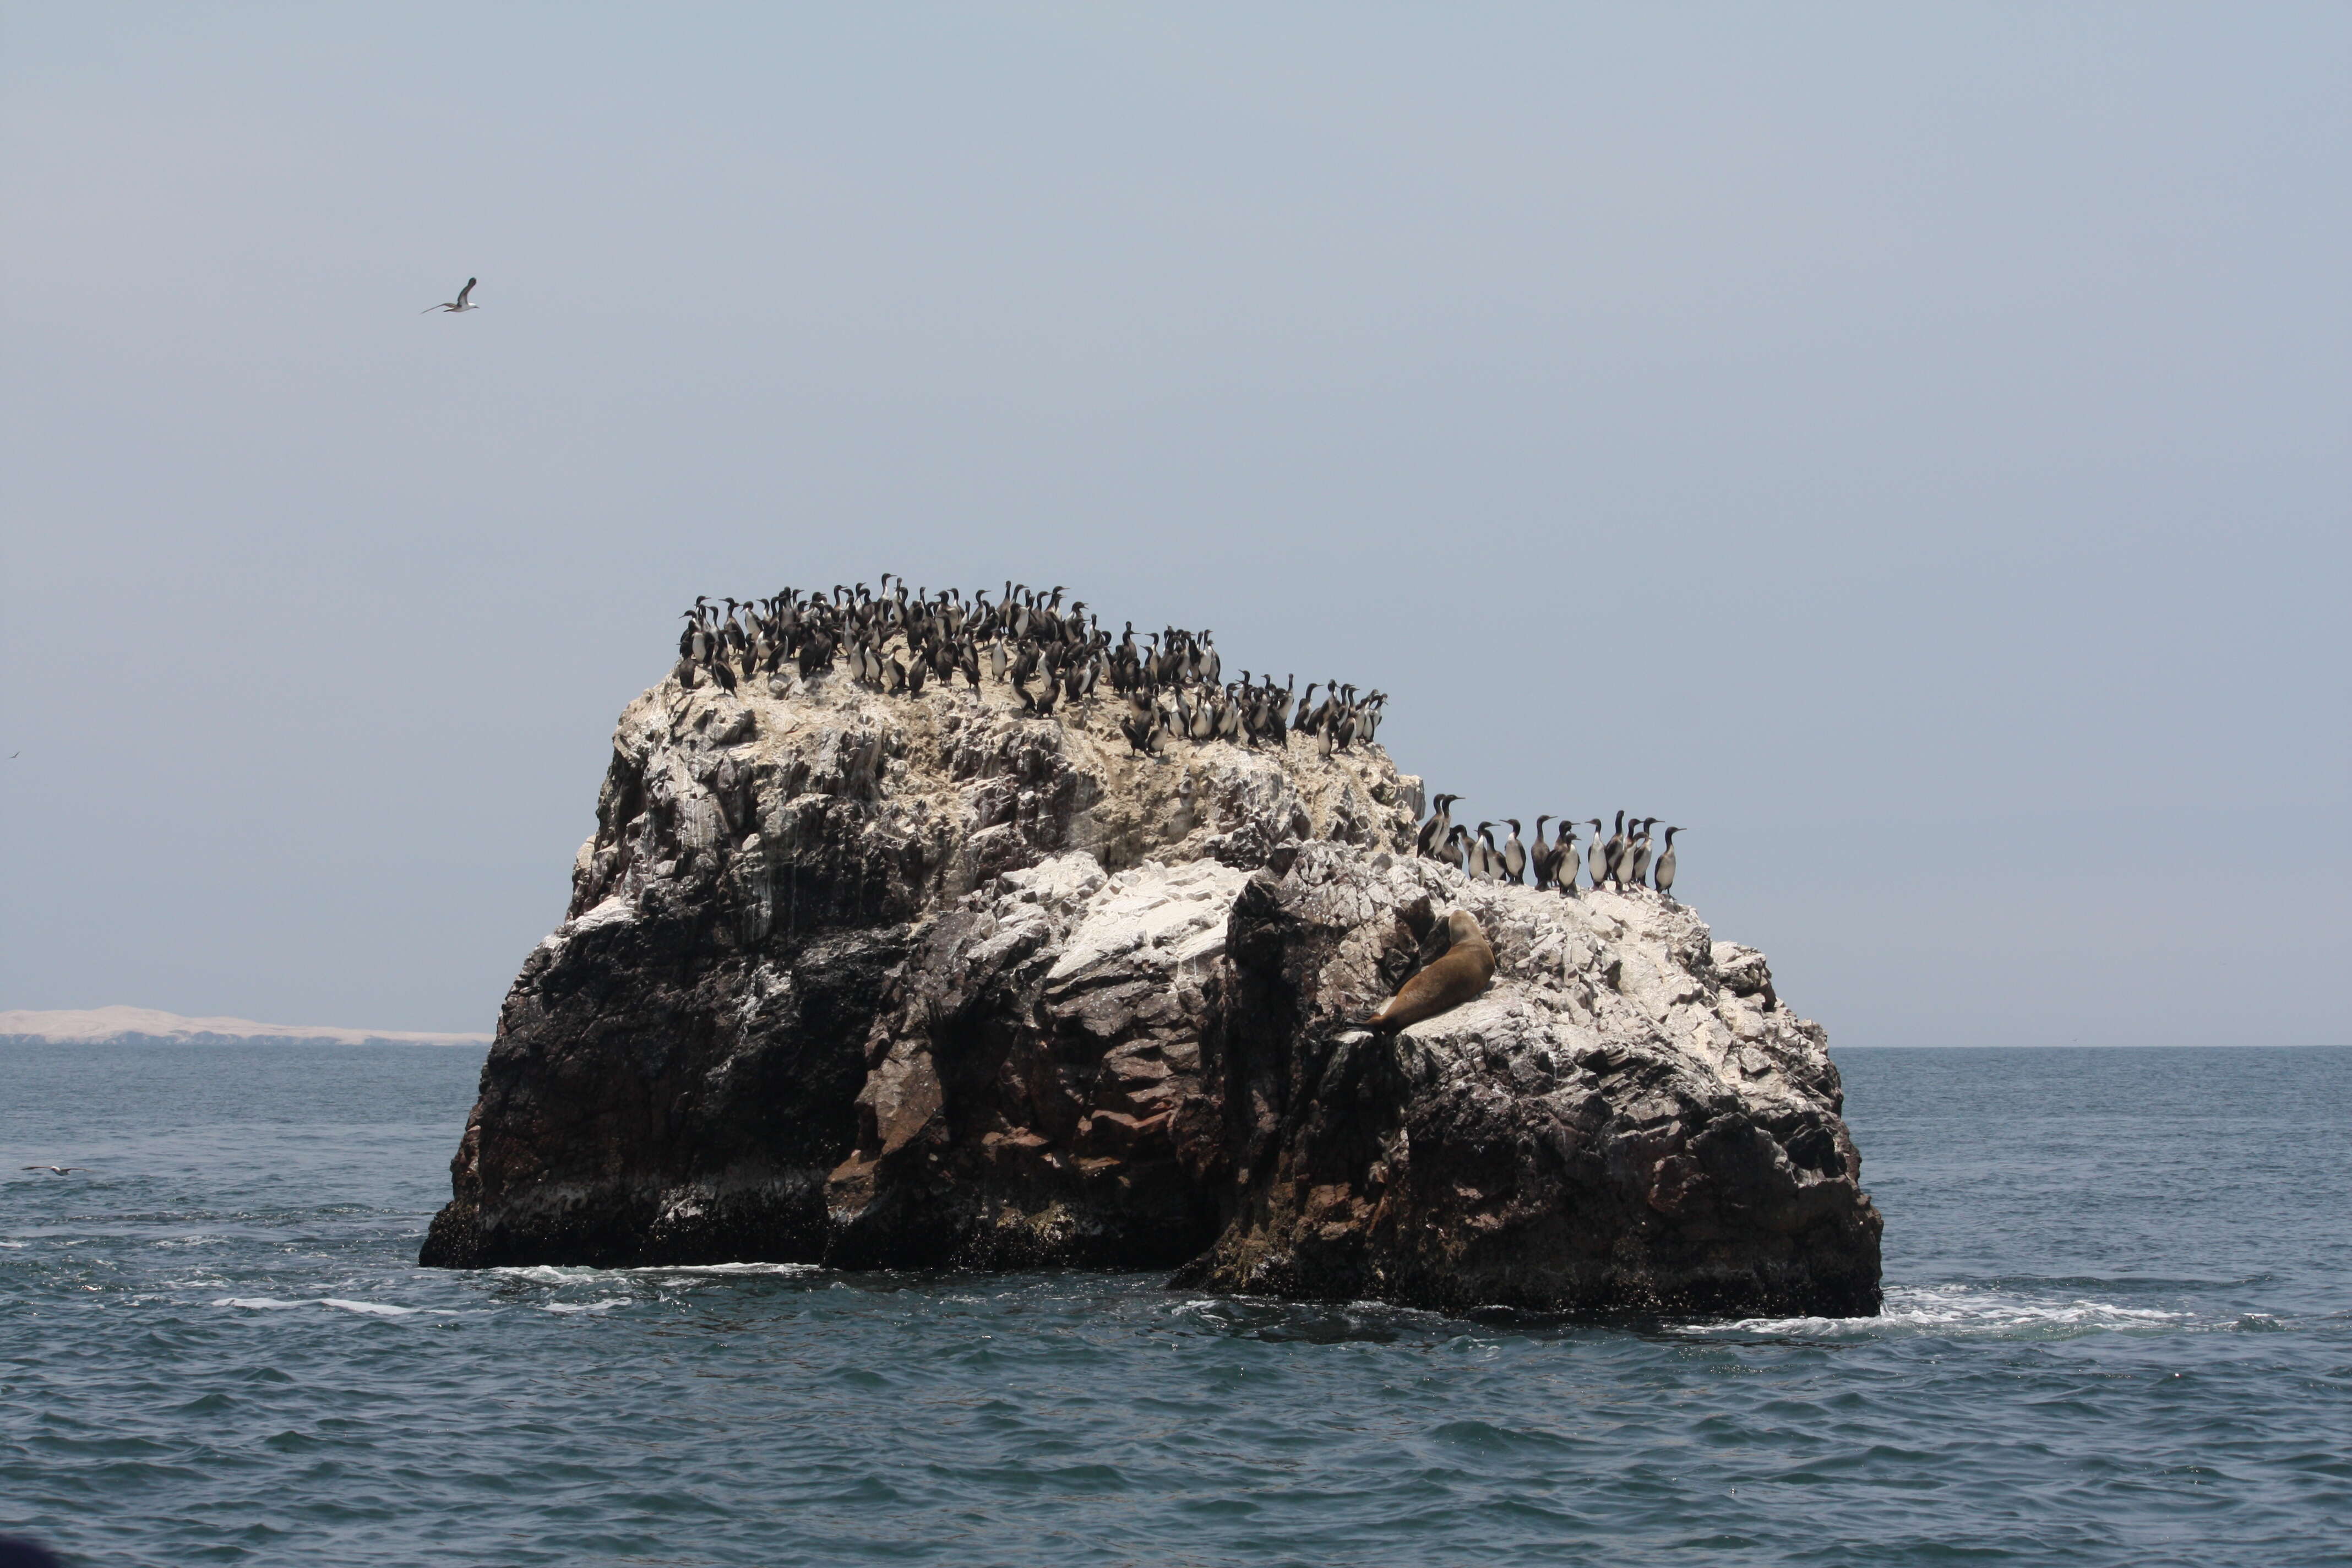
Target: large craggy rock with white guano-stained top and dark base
{"type": "Point", "coordinates": [916, 981]}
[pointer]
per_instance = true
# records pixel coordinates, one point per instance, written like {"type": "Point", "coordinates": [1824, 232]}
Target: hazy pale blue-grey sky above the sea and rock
{"type": "Point", "coordinates": [1911, 450]}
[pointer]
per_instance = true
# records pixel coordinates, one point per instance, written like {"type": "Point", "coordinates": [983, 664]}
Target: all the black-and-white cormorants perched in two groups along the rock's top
{"type": "Point", "coordinates": [1170, 690]}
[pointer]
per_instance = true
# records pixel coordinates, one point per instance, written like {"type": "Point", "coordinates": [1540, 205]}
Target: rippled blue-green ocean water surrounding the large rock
{"type": "Point", "coordinates": [2118, 1332]}
